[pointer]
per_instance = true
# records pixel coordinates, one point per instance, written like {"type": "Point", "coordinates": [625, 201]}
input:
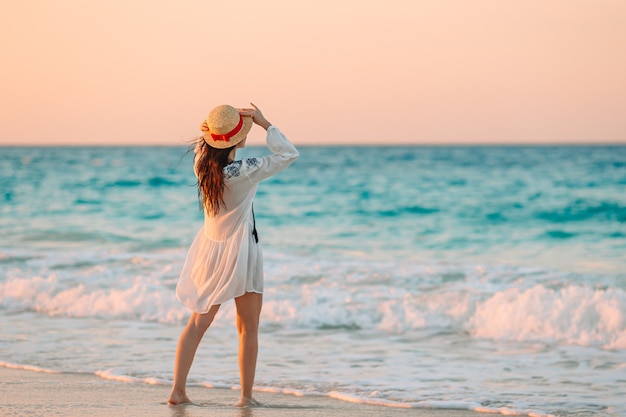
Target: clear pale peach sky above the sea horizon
{"type": "Point", "coordinates": [111, 72]}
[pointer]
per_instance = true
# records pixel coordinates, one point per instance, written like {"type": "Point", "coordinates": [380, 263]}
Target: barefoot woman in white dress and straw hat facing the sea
{"type": "Point", "coordinates": [225, 261]}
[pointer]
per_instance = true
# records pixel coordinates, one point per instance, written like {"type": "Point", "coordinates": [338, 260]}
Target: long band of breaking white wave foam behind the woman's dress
{"type": "Point", "coordinates": [488, 302]}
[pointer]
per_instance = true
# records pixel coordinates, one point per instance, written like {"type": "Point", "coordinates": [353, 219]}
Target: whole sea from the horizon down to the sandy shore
{"type": "Point", "coordinates": [487, 278]}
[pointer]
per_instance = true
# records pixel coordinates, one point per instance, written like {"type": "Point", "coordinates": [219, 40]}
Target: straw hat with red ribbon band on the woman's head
{"type": "Point", "coordinates": [225, 127]}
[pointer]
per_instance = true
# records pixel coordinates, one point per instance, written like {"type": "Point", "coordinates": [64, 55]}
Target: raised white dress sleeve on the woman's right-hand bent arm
{"type": "Point", "coordinates": [283, 155]}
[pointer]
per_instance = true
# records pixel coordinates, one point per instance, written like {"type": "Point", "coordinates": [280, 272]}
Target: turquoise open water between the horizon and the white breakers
{"type": "Point", "coordinates": [513, 204]}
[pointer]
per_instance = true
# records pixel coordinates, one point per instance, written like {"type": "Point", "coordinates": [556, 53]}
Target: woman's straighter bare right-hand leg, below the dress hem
{"type": "Point", "coordinates": [248, 314]}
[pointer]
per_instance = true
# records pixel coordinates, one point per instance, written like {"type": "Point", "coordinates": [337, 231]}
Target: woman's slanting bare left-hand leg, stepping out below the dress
{"type": "Point", "coordinates": [185, 352]}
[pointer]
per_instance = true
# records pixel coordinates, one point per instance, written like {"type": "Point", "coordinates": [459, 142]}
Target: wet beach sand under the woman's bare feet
{"type": "Point", "coordinates": [26, 393]}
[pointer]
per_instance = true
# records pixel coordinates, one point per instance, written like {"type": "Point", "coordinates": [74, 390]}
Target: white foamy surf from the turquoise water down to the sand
{"type": "Point", "coordinates": [368, 325]}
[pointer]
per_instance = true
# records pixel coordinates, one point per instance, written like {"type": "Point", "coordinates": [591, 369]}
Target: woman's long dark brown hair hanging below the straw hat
{"type": "Point", "coordinates": [210, 163]}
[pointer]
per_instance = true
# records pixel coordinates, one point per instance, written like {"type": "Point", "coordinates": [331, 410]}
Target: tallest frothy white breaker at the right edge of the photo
{"type": "Point", "coordinates": [574, 314]}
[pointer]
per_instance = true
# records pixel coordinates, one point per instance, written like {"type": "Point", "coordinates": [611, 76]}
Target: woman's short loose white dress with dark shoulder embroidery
{"type": "Point", "coordinates": [224, 260]}
